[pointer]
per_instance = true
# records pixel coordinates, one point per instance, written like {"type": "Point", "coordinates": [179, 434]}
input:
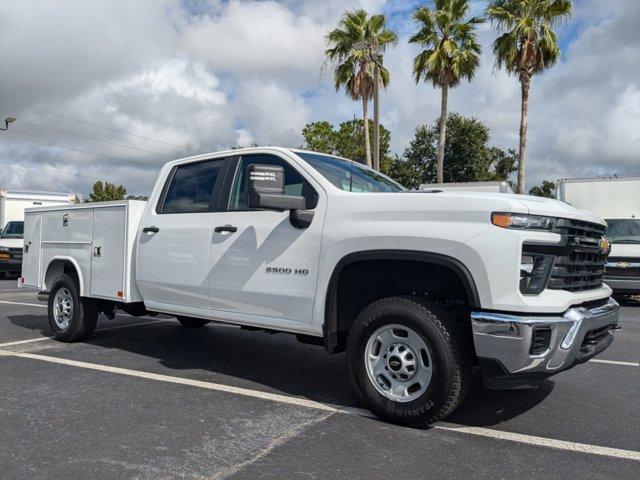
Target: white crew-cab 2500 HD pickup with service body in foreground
{"type": "Point", "coordinates": [417, 287]}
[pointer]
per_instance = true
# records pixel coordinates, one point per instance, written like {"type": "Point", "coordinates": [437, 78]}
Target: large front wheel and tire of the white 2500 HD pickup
{"type": "Point", "coordinates": [408, 361]}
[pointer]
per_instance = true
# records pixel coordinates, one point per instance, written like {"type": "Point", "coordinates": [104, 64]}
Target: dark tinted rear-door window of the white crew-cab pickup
{"type": "Point", "coordinates": [191, 189]}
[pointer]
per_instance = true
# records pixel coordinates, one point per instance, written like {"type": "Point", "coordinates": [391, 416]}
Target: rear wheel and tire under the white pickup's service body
{"type": "Point", "coordinates": [71, 317]}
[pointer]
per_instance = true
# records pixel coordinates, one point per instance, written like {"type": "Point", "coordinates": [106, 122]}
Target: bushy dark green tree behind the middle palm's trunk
{"type": "Point", "coordinates": [467, 154]}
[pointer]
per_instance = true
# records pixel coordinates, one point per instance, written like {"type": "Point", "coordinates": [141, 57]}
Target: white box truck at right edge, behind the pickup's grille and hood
{"type": "Point", "coordinates": [617, 200]}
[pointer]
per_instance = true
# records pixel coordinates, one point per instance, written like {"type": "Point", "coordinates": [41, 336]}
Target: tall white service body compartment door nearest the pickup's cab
{"type": "Point", "coordinates": [108, 251]}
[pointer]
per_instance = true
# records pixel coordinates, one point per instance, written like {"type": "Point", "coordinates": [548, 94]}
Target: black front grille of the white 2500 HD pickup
{"type": "Point", "coordinates": [580, 266]}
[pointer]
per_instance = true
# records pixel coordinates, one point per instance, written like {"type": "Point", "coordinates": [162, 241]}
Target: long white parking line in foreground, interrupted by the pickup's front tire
{"type": "Point", "coordinates": [302, 402]}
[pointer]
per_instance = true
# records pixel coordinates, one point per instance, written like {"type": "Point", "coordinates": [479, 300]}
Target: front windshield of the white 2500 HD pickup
{"type": "Point", "coordinates": [350, 176]}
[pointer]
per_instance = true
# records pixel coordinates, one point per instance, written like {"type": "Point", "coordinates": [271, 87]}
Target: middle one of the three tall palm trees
{"type": "Point", "coordinates": [451, 53]}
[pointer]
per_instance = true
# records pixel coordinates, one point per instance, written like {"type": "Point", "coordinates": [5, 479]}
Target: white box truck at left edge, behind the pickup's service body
{"type": "Point", "coordinates": [12, 206]}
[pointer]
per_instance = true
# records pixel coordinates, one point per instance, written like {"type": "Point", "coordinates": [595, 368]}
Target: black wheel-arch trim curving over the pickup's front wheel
{"type": "Point", "coordinates": [330, 325]}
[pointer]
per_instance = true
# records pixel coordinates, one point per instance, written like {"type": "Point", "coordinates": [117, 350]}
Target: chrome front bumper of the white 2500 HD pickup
{"type": "Point", "coordinates": [518, 350]}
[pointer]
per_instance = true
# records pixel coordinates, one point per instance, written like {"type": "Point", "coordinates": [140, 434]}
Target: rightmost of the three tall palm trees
{"type": "Point", "coordinates": [528, 46]}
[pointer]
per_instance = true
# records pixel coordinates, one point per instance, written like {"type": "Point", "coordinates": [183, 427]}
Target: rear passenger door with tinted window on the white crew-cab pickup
{"type": "Point", "coordinates": [174, 244]}
